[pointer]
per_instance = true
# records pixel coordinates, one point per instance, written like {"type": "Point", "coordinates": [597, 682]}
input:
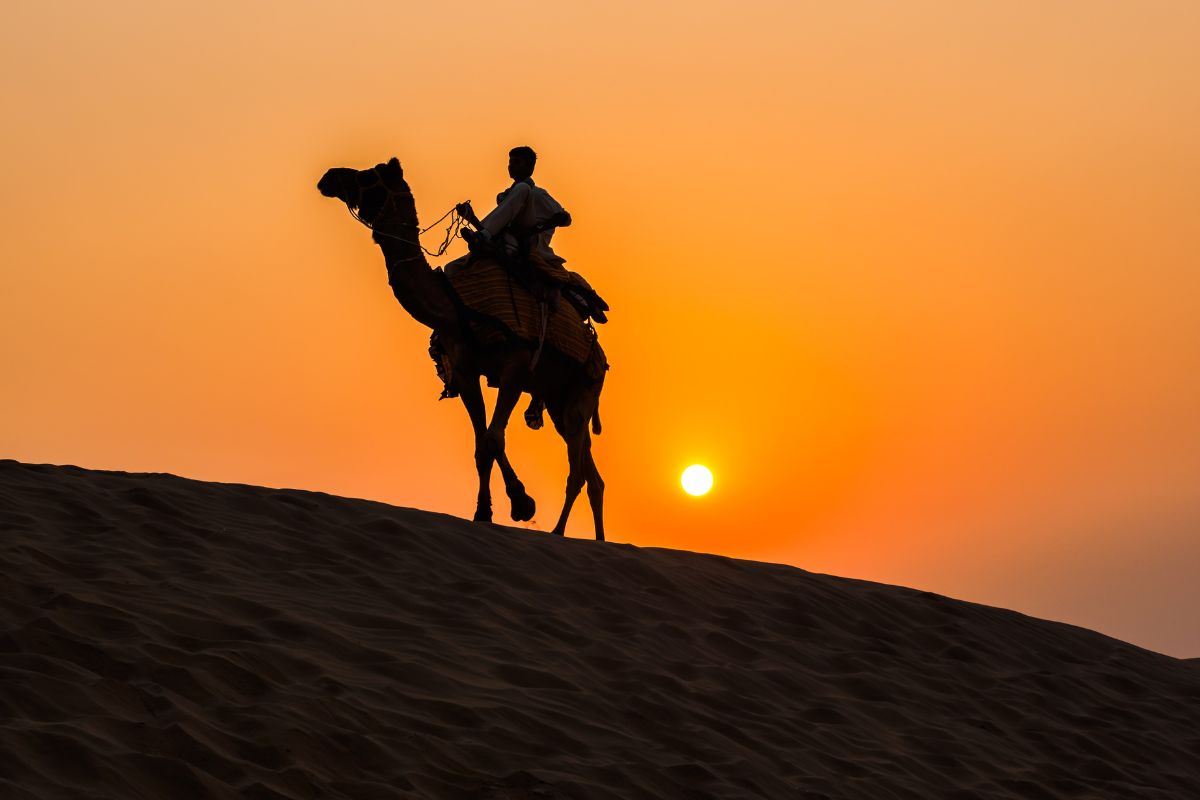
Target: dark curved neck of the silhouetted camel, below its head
{"type": "Point", "coordinates": [413, 282]}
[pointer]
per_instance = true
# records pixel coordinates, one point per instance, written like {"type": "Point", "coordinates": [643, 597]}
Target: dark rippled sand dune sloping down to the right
{"type": "Point", "coordinates": [172, 639]}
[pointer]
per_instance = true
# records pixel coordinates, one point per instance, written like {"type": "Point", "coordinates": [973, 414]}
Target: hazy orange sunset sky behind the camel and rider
{"type": "Point", "coordinates": [919, 281]}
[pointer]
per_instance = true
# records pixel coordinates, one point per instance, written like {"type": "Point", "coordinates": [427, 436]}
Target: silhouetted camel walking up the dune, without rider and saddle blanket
{"type": "Point", "coordinates": [382, 200]}
